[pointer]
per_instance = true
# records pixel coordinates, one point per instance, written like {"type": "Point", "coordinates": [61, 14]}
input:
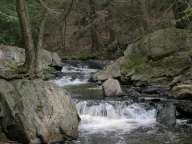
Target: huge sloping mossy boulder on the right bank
{"type": "Point", "coordinates": [157, 57]}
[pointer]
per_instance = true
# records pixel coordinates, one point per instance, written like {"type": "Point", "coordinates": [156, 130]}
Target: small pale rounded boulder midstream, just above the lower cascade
{"type": "Point", "coordinates": [112, 87]}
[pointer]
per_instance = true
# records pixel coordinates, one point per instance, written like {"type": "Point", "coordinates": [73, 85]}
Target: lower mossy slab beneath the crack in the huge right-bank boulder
{"type": "Point", "coordinates": [158, 70]}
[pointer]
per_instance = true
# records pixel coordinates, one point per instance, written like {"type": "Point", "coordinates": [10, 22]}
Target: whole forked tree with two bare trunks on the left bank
{"type": "Point", "coordinates": [31, 65]}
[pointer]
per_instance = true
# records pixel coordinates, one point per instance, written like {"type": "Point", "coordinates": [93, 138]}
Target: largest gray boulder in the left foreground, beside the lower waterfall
{"type": "Point", "coordinates": [34, 111]}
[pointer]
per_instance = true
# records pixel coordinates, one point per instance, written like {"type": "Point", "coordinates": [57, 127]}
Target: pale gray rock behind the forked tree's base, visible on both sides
{"type": "Point", "coordinates": [11, 56]}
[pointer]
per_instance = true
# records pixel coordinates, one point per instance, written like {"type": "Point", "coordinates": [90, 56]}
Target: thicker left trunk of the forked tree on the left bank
{"type": "Point", "coordinates": [29, 65]}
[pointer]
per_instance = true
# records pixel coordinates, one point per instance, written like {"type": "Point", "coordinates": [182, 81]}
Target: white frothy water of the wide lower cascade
{"type": "Point", "coordinates": [113, 116]}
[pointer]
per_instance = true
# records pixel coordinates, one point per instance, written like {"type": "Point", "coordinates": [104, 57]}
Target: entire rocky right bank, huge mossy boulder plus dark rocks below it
{"type": "Point", "coordinates": [157, 66]}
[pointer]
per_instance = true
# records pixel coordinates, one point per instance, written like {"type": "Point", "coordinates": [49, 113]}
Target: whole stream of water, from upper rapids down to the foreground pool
{"type": "Point", "coordinates": [113, 121]}
